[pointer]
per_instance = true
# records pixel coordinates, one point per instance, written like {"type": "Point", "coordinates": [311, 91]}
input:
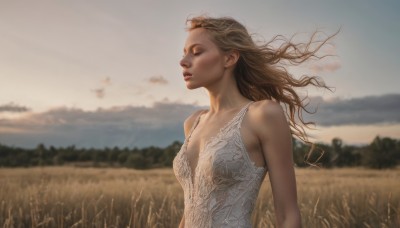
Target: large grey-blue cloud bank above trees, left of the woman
{"type": "Point", "coordinates": [129, 126]}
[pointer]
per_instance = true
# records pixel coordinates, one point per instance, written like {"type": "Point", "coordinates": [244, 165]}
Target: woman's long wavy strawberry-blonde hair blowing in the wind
{"type": "Point", "coordinates": [261, 71]}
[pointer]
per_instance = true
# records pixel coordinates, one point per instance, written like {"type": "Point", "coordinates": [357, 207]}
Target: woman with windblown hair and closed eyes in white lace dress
{"type": "Point", "coordinates": [229, 148]}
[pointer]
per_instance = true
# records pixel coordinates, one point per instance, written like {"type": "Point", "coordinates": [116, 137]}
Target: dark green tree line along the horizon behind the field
{"type": "Point", "coordinates": [380, 153]}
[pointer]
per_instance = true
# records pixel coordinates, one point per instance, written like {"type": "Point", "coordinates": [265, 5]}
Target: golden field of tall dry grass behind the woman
{"type": "Point", "coordinates": [106, 197]}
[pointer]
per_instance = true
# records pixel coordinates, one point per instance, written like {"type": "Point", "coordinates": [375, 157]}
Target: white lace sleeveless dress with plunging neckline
{"type": "Point", "coordinates": [224, 187]}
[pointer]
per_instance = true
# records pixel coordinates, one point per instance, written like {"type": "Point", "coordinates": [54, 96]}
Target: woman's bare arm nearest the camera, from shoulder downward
{"type": "Point", "coordinates": [275, 137]}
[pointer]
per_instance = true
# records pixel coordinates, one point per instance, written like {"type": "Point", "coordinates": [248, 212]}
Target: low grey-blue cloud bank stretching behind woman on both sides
{"type": "Point", "coordinates": [162, 123]}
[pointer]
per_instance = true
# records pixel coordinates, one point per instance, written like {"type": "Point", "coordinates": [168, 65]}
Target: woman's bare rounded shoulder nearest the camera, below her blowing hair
{"type": "Point", "coordinates": [267, 117]}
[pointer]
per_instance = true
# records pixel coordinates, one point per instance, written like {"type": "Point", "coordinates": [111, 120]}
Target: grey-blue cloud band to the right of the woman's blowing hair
{"type": "Point", "coordinates": [356, 111]}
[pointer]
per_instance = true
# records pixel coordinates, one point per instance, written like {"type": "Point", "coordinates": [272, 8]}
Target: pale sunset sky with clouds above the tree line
{"type": "Point", "coordinates": [100, 73]}
